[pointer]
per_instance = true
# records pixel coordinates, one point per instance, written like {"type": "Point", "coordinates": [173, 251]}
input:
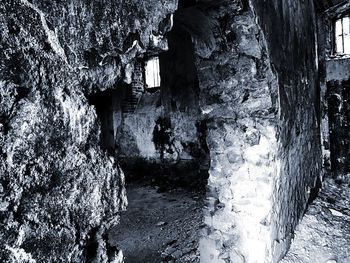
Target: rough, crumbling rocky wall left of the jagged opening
{"type": "Point", "coordinates": [59, 192]}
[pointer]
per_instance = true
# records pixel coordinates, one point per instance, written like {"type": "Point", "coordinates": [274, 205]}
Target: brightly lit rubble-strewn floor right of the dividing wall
{"type": "Point", "coordinates": [323, 236]}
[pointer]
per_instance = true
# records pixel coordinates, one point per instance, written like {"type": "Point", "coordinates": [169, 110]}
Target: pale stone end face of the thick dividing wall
{"type": "Point", "coordinates": [238, 100]}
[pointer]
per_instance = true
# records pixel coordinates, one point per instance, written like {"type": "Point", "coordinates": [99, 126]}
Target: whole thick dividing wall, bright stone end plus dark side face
{"type": "Point", "coordinates": [259, 96]}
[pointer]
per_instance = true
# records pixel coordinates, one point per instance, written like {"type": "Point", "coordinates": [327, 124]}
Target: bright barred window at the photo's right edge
{"type": "Point", "coordinates": [342, 35]}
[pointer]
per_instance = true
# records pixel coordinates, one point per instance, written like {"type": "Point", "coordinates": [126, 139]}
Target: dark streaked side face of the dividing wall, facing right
{"type": "Point", "coordinates": [289, 27]}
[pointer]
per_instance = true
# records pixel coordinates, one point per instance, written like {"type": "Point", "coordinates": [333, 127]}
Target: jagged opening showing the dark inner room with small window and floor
{"type": "Point", "coordinates": [154, 128]}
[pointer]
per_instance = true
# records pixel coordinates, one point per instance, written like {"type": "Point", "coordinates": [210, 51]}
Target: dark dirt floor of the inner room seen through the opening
{"type": "Point", "coordinates": [159, 226]}
